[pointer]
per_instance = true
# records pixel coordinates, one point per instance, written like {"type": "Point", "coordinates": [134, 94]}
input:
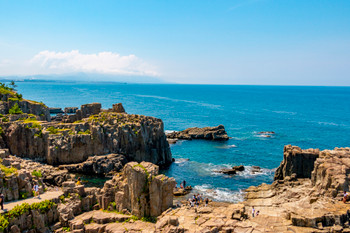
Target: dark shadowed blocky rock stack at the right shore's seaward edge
{"type": "Point", "coordinates": [298, 161]}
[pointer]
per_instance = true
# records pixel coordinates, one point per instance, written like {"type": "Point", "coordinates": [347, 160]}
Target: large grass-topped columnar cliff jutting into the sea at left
{"type": "Point", "coordinates": [139, 138]}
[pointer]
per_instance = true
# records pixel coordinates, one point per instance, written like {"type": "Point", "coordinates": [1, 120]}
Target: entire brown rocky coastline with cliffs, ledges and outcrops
{"type": "Point", "coordinates": [305, 196]}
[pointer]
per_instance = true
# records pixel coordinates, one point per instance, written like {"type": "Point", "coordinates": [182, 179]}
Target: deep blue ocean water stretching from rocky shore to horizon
{"type": "Point", "coordinates": [309, 117]}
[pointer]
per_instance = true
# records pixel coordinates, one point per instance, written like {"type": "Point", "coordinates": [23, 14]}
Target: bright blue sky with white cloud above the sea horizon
{"type": "Point", "coordinates": [222, 42]}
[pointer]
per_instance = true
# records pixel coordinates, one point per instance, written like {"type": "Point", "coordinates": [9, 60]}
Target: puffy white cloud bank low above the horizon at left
{"type": "Point", "coordinates": [50, 62]}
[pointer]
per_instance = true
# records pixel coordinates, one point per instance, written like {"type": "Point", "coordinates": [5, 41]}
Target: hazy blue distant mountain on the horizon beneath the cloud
{"type": "Point", "coordinates": [85, 77]}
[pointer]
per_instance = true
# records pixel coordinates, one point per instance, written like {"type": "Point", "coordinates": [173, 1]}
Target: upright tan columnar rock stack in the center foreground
{"type": "Point", "coordinates": [139, 190]}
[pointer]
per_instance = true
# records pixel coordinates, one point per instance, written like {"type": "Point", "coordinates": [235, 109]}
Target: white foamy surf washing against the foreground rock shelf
{"type": "Point", "coordinates": [219, 194]}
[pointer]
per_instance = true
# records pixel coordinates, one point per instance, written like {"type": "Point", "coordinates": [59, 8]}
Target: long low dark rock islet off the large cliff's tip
{"type": "Point", "coordinates": [217, 133]}
